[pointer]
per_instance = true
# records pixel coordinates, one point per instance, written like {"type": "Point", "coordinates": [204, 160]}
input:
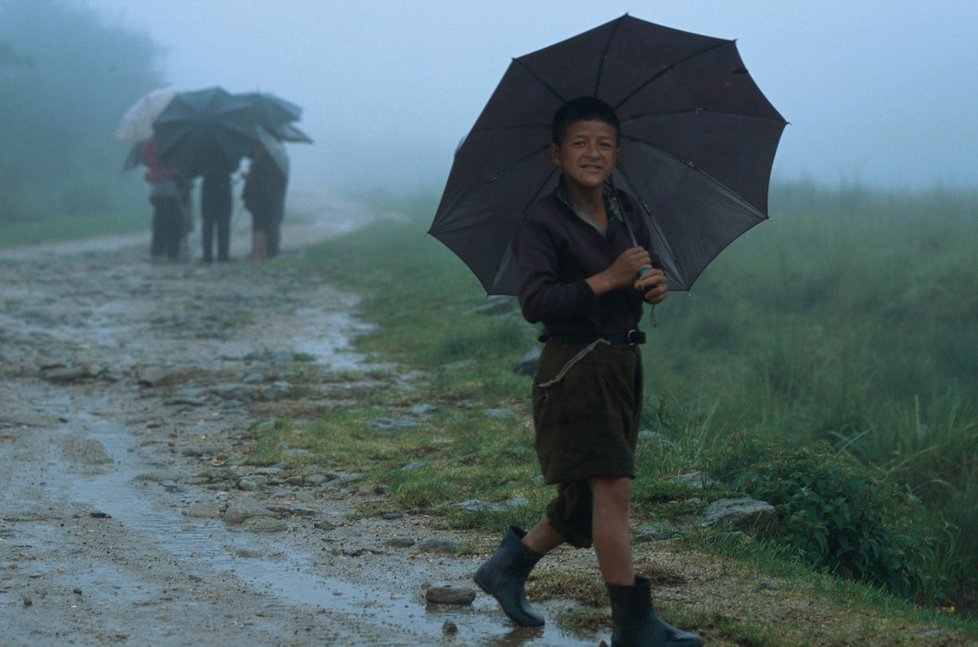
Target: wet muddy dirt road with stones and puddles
{"type": "Point", "coordinates": [125, 390]}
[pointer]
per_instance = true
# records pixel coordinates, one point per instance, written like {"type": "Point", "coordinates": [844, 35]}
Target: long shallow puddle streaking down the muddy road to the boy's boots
{"type": "Point", "coordinates": [275, 566]}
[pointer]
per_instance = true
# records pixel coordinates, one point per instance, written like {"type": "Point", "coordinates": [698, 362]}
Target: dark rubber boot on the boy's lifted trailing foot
{"type": "Point", "coordinates": [503, 576]}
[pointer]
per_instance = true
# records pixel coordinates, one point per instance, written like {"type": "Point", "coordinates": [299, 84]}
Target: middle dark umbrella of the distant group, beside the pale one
{"type": "Point", "coordinates": [205, 132]}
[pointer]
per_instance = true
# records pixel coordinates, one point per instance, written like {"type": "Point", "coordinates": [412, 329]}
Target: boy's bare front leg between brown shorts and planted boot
{"type": "Point", "coordinates": [610, 529]}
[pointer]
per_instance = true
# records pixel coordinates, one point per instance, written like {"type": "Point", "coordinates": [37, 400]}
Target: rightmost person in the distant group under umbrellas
{"type": "Point", "coordinates": [264, 197]}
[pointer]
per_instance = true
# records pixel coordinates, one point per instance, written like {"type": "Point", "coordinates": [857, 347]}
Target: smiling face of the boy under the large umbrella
{"type": "Point", "coordinates": [588, 153]}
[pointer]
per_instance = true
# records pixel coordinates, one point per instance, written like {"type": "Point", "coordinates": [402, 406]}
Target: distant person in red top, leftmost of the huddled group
{"type": "Point", "coordinates": [166, 190]}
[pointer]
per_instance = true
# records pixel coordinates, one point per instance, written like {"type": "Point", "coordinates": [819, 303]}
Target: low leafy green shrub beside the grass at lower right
{"type": "Point", "coordinates": [844, 517]}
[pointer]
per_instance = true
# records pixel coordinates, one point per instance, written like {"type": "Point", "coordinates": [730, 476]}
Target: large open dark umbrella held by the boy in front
{"type": "Point", "coordinates": [698, 142]}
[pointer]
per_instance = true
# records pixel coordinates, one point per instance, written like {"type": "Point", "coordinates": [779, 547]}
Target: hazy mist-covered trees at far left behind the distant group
{"type": "Point", "coordinates": [67, 74]}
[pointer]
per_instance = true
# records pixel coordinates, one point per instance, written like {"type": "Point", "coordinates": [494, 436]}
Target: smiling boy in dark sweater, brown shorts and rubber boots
{"type": "Point", "coordinates": [585, 268]}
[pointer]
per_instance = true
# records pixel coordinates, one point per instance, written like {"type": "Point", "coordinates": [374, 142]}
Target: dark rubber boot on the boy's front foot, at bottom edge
{"type": "Point", "coordinates": [636, 624]}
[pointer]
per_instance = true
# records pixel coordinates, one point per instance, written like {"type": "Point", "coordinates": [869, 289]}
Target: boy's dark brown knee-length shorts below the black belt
{"type": "Point", "coordinates": [586, 426]}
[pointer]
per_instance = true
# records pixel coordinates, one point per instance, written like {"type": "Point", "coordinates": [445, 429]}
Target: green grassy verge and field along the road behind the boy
{"type": "Point", "coordinates": [804, 367]}
